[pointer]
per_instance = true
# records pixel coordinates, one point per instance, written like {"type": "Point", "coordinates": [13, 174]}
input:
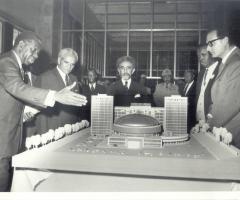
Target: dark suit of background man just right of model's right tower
{"type": "Point", "coordinates": [191, 94]}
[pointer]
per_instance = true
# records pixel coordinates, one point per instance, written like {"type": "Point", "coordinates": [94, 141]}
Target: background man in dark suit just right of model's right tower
{"type": "Point", "coordinates": [190, 92]}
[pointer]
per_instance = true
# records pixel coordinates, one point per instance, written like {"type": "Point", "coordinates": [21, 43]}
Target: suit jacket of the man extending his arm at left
{"type": "Point", "coordinates": [14, 93]}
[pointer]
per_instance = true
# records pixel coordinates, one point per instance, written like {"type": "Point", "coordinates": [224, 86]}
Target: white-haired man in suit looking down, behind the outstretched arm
{"type": "Point", "coordinates": [56, 79]}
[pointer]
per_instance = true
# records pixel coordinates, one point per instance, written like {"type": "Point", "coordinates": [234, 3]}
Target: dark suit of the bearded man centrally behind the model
{"type": "Point", "coordinates": [124, 96]}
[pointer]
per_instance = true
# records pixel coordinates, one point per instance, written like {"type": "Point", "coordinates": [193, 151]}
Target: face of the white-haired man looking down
{"type": "Point", "coordinates": [66, 64]}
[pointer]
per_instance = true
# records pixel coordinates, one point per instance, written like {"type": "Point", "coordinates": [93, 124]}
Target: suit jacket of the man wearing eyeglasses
{"type": "Point", "coordinates": [225, 96]}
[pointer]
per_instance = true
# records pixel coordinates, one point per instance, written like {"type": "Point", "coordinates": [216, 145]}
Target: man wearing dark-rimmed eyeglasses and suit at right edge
{"type": "Point", "coordinates": [225, 108]}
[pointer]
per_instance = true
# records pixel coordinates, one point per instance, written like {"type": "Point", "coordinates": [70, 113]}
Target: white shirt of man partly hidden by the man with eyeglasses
{"type": "Point", "coordinates": [200, 104]}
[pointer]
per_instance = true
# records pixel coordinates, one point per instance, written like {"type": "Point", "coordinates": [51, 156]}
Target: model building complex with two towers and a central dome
{"type": "Point", "coordinates": [130, 123]}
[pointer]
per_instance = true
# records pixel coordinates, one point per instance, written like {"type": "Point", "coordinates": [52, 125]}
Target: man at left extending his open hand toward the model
{"type": "Point", "coordinates": [14, 94]}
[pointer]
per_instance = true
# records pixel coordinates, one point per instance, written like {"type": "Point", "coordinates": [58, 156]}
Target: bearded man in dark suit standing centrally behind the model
{"type": "Point", "coordinates": [125, 90]}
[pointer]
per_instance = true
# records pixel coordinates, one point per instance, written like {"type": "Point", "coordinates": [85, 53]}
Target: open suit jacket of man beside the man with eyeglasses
{"type": "Point", "coordinates": [207, 93]}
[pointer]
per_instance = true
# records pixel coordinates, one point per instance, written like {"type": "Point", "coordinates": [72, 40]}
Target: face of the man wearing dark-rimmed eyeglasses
{"type": "Point", "coordinates": [216, 46]}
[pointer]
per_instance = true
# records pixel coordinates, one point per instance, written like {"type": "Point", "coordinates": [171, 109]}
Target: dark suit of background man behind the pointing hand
{"type": "Point", "coordinates": [86, 91]}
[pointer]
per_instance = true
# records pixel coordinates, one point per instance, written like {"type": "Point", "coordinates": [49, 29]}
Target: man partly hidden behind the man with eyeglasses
{"type": "Point", "coordinates": [206, 77]}
